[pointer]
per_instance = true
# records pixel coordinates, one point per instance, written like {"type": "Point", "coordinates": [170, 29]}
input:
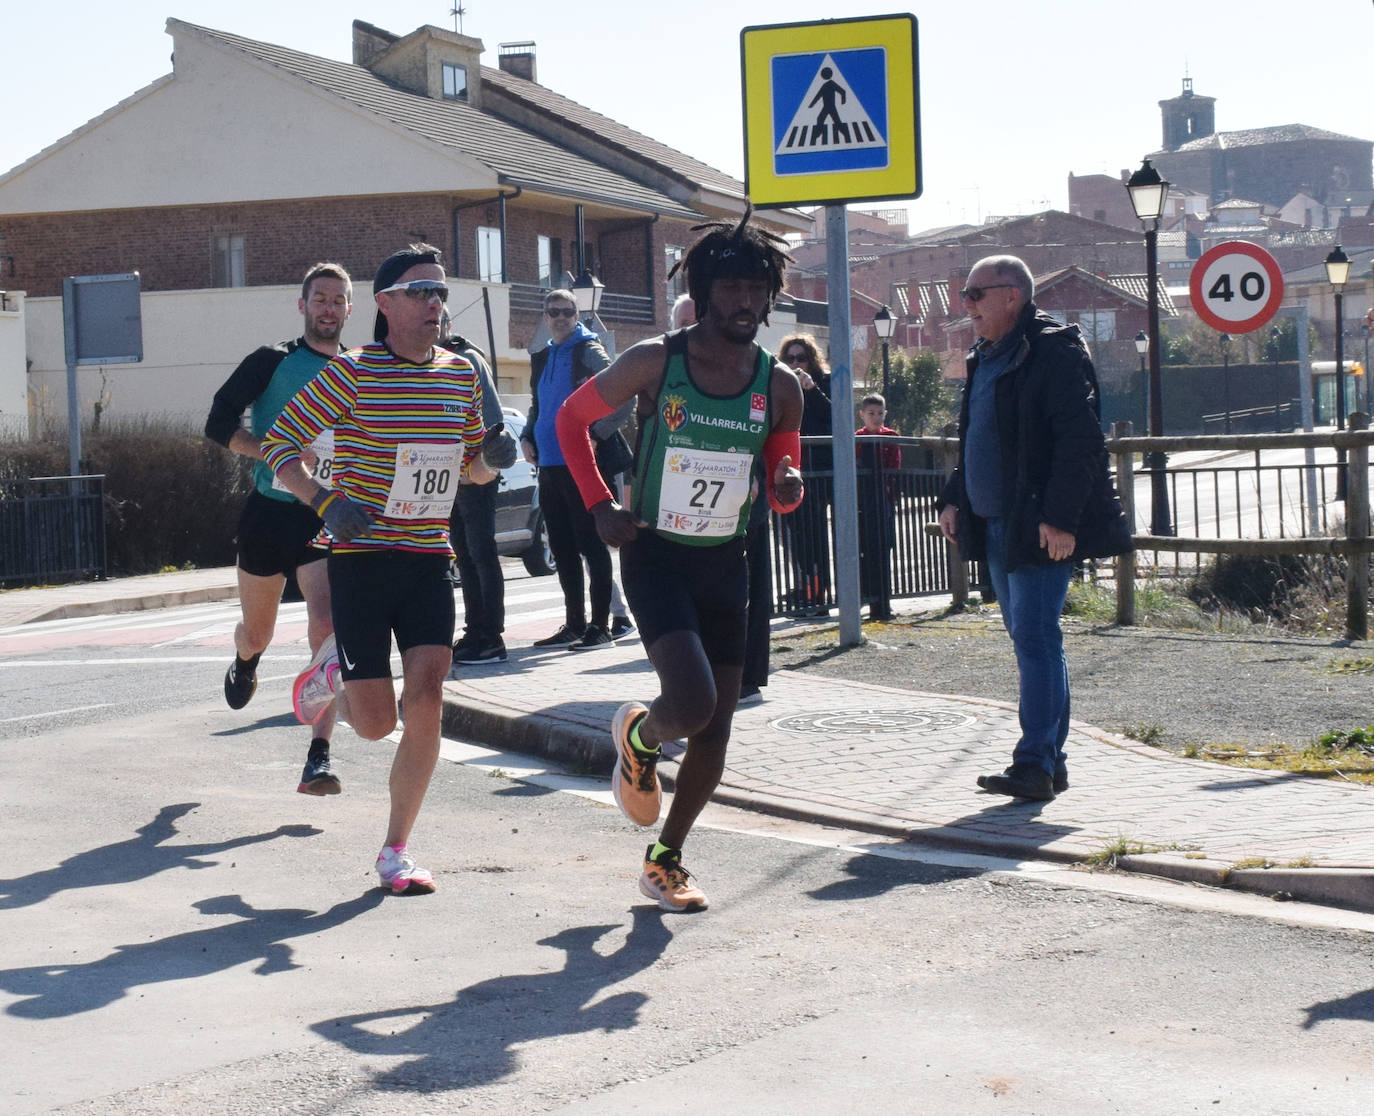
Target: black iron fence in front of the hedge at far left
{"type": "Point", "coordinates": [52, 530]}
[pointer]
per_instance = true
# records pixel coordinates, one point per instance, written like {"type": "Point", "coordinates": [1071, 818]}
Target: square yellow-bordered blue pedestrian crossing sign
{"type": "Point", "coordinates": [832, 112]}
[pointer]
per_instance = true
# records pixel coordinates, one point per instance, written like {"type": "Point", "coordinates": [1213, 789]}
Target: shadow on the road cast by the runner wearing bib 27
{"type": "Point", "coordinates": [472, 1041]}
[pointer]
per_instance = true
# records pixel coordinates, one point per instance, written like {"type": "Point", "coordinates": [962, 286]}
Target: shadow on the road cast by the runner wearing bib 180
{"type": "Point", "coordinates": [67, 990]}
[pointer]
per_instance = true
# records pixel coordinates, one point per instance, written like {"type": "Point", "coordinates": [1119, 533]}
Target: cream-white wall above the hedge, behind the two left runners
{"type": "Point", "coordinates": [194, 339]}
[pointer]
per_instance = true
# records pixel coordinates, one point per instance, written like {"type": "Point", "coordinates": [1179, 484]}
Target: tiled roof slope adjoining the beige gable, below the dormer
{"type": "Point", "coordinates": [516, 156]}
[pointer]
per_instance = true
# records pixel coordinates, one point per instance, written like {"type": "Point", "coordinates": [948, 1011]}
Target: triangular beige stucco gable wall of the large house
{"type": "Point", "coordinates": [274, 138]}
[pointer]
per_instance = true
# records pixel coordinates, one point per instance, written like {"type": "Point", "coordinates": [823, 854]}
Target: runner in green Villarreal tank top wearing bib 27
{"type": "Point", "coordinates": [710, 403]}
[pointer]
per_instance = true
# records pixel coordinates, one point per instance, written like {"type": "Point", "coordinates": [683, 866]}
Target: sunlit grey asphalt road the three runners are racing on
{"type": "Point", "coordinates": [182, 931]}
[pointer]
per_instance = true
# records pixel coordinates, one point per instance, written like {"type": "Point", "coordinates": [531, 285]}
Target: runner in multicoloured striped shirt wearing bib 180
{"type": "Point", "coordinates": [407, 423]}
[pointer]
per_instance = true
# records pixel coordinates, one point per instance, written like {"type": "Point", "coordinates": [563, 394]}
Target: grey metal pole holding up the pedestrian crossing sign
{"type": "Point", "coordinates": [843, 424]}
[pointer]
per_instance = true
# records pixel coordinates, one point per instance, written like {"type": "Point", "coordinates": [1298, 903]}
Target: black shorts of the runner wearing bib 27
{"type": "Point", "coordinates": [673, 588]}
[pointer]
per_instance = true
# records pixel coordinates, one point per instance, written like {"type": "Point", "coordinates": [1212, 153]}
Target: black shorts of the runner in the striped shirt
{"type": "Point", "coordinates": [394, 592]}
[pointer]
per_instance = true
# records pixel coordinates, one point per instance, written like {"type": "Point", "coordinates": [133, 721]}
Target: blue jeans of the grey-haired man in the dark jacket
{"type": "Point", "coordinates": [1033, 600]}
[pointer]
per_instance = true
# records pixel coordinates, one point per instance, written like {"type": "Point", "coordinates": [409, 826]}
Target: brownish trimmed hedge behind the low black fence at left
{"type": "Point", "coordinates": [172, 498]}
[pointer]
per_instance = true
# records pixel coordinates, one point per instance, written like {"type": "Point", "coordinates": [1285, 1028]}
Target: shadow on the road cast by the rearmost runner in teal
{"type": "Point", "coordinates": [141, 857]}
